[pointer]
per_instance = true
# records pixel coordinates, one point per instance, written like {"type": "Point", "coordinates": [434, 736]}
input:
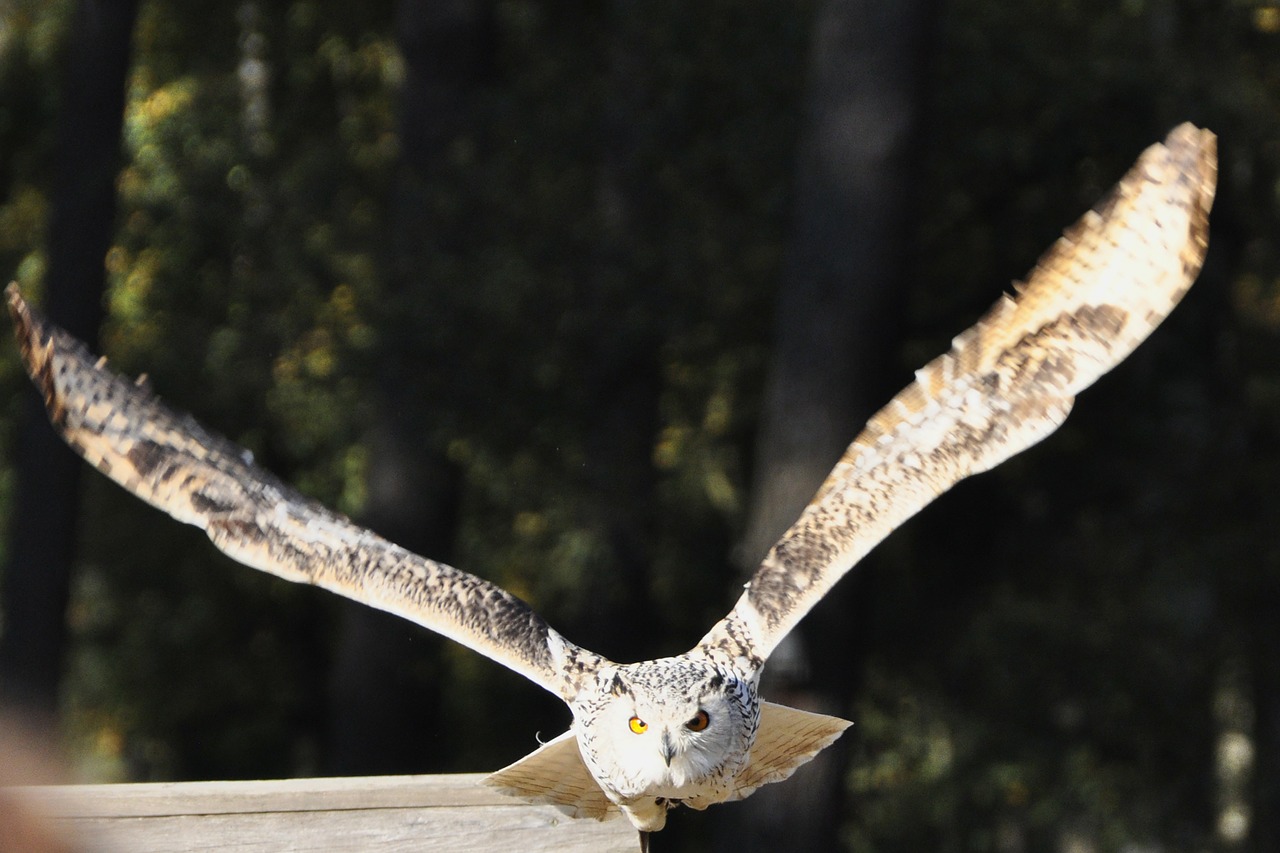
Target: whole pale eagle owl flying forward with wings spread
{"type": "Point", "coordinates": [692, 729]}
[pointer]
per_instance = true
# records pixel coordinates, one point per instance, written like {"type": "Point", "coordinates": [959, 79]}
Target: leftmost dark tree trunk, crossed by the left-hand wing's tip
{"type": "Point", "coordinates": [88, 157]}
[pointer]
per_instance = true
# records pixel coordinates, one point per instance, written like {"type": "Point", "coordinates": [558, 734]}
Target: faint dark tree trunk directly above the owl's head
{"type": "Point", "coordinates": [620, 373]}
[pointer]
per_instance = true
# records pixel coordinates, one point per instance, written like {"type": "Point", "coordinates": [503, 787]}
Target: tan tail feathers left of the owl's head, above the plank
{"type": "Point", "coordinates": [555, 776]}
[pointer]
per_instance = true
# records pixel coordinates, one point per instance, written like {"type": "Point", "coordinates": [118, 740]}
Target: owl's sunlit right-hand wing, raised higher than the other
{"type": "Point", "coordinates": [1005, 385]}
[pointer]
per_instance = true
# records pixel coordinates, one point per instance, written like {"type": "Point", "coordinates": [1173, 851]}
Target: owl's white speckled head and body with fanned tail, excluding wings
{"type": "Point", "coordinates": [652, 736]}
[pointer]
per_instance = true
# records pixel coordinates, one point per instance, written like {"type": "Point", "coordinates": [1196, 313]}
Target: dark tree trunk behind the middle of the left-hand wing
{"type": "Point", "coordinates": [380, 714]}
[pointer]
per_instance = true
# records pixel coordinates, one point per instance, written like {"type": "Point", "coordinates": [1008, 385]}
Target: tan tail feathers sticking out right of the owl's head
{"type": "Point", "coordinates": [788, 738]}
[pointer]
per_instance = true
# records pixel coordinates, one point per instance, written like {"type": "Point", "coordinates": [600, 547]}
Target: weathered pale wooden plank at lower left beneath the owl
{"type": "Point", "coordinates": [388, 814]}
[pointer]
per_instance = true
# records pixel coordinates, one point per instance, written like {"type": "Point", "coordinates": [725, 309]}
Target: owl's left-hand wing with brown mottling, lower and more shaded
{"type": "Point", "coordinates": [175, 464]}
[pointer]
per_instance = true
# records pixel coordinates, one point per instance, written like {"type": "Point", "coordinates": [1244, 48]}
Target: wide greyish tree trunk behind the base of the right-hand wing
{"type": "Point", "coordinates": [838, 336]}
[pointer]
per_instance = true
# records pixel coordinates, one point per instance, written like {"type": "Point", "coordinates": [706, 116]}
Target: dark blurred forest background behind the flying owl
{"type": "Point", "coordinates": [586, 298]}
